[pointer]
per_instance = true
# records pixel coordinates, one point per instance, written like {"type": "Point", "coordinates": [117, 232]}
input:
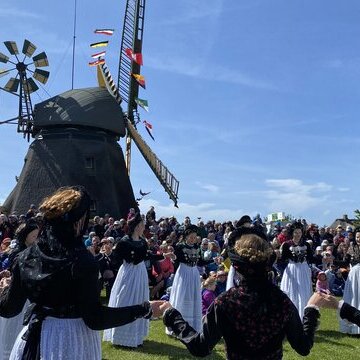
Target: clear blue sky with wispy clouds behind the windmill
{"type": "Point", "coordinates": [254, 104]}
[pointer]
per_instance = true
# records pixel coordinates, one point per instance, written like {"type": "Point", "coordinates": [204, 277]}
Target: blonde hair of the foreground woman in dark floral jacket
{"type": "Point", "coordinates": [253, 248]}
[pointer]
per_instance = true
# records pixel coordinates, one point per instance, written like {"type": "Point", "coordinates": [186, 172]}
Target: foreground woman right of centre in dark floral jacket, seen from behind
{"type": "Point", "coordinates": [255, 316]}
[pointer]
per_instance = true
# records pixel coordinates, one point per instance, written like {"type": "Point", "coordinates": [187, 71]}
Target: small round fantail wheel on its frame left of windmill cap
{"type": "Point", "coordinates": [21, 82]}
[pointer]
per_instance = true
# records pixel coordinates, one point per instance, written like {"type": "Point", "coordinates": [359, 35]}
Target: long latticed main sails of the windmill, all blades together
{"type": "Point", "coordinates": [127, 90]}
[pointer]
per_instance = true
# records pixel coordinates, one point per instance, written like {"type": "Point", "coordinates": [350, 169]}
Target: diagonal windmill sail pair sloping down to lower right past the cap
{"type": "Point", "coordinates": [166, 178]}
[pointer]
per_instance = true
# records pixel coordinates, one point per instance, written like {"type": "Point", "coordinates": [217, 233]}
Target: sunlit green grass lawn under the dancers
{"type": "Point", "coordinates": [330, 344]}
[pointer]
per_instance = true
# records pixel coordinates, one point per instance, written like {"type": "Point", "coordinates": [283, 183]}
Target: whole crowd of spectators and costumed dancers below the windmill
{"type": "Point", "coordinates": [195, 268]}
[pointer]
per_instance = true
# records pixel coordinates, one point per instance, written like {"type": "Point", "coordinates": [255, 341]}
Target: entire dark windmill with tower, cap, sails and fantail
{"type": "Point", "coordinates": [76, 133]}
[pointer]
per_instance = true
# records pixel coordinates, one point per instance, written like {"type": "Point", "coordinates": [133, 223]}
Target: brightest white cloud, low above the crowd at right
{"type": "Point", "coordinates": [292, 195]}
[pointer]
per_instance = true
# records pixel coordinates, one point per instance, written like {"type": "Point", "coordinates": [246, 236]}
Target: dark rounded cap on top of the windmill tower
{"type": "Point", "coordinates": [90, 107]}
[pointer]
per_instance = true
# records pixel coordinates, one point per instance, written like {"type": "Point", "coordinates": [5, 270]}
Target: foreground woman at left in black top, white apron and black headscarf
{"type": "Point", "coordinates": [60, 278]}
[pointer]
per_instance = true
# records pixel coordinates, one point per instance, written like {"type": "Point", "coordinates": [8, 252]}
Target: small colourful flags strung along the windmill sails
{"type": "Point", "coordinates": [136, 57]}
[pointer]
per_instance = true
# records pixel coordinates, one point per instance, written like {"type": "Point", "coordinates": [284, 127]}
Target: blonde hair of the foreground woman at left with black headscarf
{"type": "Point", "coordinates": [59, 203]}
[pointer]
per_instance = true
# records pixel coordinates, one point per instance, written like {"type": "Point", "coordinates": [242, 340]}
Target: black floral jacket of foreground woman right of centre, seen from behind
{"type": "Point", "coordinates": [252, 325]}
